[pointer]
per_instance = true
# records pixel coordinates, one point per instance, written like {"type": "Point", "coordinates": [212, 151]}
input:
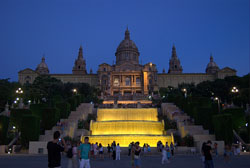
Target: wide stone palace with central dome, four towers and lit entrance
{"type": "Point", "coordinates": [127, 76]}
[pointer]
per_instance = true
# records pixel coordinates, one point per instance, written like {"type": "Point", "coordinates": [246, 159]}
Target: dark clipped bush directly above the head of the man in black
{"type": "Point", "coordinates": [50, 117]}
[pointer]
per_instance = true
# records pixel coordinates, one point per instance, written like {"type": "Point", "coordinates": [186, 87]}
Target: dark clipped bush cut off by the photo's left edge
{"type": "Point", "coordinates": [4, 124]}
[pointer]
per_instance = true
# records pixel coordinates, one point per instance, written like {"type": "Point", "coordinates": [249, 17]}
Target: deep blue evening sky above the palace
{"type": "Point", "coordinates": [56, 28]}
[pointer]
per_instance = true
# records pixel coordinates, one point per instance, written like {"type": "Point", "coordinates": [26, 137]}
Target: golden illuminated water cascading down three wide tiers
{"type": "Point", "coordinates": [125, 125]}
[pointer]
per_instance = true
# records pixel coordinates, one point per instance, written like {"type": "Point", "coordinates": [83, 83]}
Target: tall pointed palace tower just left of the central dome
{"type": "Point", "coordinates": [80, 64]}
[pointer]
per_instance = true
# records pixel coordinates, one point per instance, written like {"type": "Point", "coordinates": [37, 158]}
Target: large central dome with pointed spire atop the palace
{"type": "Point", "coordinates": [127, 51]}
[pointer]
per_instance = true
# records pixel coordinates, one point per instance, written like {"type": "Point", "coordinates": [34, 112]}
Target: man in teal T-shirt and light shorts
{"type": "Point", "coordinates": [84, 153]}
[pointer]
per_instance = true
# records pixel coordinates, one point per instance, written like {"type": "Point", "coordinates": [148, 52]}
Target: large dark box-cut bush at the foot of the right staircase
{"type": "Point", "coordinates": [223, 127]}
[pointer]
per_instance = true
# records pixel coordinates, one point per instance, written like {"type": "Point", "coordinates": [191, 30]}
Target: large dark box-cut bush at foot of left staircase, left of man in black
{"type": "Point", "coordinates": [30, 129]}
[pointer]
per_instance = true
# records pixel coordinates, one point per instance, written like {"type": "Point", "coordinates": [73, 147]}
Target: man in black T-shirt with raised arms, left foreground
{"type": "Point", "coordinates": [55, 148]}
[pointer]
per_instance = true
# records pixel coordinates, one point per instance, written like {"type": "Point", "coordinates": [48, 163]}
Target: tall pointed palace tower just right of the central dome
{"type": "Point", "coordinates": [174, 63]}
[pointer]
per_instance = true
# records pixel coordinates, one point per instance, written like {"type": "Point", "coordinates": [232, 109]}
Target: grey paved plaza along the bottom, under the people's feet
{"type": "Point", "coordinates": [179, 161]}
